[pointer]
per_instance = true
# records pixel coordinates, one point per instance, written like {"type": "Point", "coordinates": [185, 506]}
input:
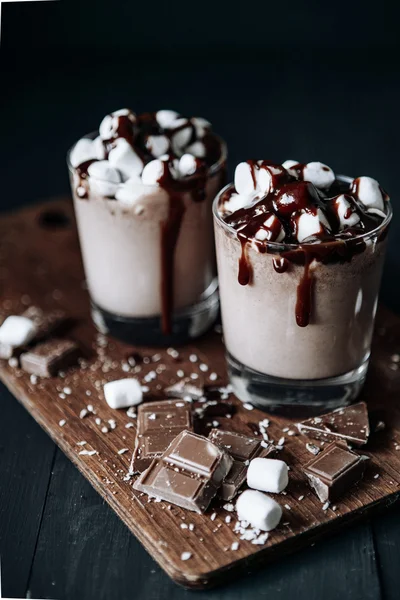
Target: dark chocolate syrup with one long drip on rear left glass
{"type": "Point", "coordinates": [136, 131]}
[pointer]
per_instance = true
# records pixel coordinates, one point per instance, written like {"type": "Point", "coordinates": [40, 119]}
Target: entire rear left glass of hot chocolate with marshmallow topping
{"type": "Point", "coordinates": [143, 187]}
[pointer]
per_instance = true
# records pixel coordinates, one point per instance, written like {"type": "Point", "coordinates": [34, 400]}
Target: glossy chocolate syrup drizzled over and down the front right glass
{"type": "Point", "coordinates": [288, 200]}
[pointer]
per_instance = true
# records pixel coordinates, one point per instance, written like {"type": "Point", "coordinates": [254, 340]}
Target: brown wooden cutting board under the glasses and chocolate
{"type": "Point", "coordinates": [40, 265]}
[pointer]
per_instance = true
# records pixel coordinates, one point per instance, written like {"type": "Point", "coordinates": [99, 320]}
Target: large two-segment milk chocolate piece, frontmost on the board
{"type": "Point", "coordinates": [188, 474]}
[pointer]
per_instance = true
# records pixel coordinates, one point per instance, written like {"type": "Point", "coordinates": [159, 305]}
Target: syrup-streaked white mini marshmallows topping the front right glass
{"type": "Point", "coordinates": [254, 182]}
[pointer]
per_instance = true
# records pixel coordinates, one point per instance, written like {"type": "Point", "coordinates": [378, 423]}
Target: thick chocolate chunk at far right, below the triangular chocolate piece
{"type": "Point", "coordinates": [334, 471]}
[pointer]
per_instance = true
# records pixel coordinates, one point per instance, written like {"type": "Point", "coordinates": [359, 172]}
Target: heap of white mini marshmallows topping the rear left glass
{"type": "Point", "coordinates": [121, 173]}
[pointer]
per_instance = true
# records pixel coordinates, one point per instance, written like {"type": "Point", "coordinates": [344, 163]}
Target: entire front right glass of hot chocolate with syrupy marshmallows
{"type": "Point", "coordinates": [300, 253]}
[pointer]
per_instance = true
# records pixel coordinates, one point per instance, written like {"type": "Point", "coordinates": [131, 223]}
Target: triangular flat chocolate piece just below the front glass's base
{"type": "Point", "coordinates": [349, 424]}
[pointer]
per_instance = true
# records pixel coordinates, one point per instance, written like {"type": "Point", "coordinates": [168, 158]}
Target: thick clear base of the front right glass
{"type": "Point", "coordinates": [295, 397]}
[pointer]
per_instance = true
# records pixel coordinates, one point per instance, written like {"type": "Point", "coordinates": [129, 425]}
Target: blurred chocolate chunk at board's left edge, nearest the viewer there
{"type": "Point", "coordinates": [48, 358]}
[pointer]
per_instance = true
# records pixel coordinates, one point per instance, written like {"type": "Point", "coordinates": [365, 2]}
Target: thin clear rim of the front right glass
{"type": "Point", "coordinates": [282, 246]}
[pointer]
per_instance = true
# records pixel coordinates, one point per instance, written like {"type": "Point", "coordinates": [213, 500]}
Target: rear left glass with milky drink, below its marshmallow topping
{"type": "Point", "coordinates": [150, 266]}
